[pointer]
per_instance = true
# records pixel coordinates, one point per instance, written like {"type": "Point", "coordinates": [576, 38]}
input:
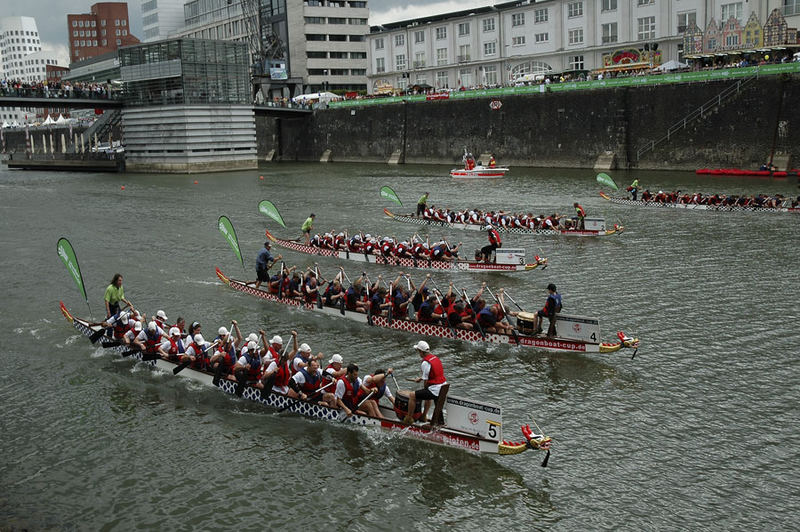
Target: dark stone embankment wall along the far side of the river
{"type": "Point", "coordinates": [565, 129]}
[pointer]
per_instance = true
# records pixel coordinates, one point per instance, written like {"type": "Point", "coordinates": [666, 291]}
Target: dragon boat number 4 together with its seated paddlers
{"type": "Point", "coordinates": [403, 306]}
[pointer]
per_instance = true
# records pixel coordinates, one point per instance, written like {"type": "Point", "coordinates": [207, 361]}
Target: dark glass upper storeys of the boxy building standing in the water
{"type": "Point", "coordinates": [185, 71]}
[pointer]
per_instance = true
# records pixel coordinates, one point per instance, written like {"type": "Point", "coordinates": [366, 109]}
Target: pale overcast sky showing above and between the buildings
{"type": "Point", "coordinates": [51, 15]}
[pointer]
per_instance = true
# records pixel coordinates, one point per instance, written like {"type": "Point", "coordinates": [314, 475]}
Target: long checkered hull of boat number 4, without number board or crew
{"type": "Point", "coordinates": [557, 345]}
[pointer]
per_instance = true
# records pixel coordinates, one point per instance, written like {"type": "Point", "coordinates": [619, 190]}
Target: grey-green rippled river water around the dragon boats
{"type": "Point", "coordinates": [698, 431]}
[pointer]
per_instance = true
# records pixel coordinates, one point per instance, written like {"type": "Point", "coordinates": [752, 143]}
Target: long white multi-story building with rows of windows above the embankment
{"type": "Point", "coordinates": [498, 44]}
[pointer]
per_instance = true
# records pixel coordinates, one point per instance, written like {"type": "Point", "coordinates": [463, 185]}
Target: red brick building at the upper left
{"type": "Point", "coordinates": [104, 30]}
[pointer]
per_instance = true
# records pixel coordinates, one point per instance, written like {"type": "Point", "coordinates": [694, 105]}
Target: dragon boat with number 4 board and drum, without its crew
{"type": "Point", "coordinates": [574, 334]}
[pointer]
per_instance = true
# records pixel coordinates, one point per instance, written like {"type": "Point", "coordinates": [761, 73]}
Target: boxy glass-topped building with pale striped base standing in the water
{"type": "Point", "coordinates": [187, 106]}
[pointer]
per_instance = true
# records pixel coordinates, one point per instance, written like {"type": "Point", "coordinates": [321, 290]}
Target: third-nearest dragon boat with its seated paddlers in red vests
{"type": "Point", "coordinates": [410, 253]}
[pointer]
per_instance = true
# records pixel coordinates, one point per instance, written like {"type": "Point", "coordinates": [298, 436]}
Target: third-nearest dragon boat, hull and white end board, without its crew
{"type": "Point", "coordinates": [506, 260]}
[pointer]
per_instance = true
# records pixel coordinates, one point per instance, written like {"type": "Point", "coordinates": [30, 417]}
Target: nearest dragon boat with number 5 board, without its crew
{"type": "Point", "coordinates": [469, 424]}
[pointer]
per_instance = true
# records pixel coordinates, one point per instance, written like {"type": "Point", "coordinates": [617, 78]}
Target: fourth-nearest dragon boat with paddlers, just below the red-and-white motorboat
{"type": "Point", "coordinates": [509, 222]}
